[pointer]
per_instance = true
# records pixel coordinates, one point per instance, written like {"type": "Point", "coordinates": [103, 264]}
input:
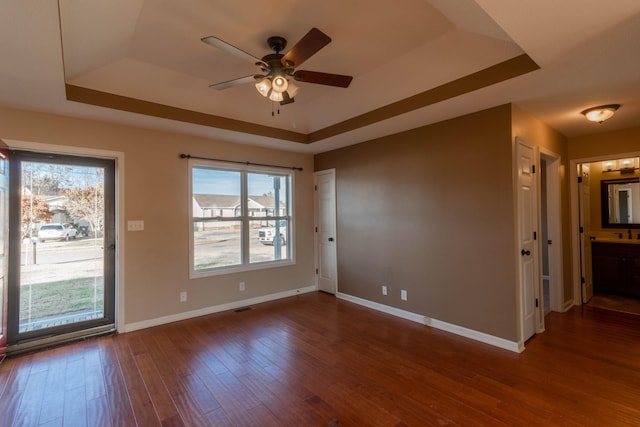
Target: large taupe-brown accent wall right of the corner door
{"type": "Point", "coordinates": [431, 211]}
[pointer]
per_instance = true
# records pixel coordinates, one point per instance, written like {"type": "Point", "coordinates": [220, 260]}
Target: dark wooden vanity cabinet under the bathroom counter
{"type": "Point", "coordinates": [616, 267]}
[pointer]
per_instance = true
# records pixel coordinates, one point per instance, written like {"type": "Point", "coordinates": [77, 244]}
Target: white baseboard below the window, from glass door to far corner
{"type": "Point", "coordinates": [130, 327]}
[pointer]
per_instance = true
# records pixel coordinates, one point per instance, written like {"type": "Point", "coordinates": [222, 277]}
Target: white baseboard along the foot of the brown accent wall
{"type": "Point", "coordinates": [438, 324]}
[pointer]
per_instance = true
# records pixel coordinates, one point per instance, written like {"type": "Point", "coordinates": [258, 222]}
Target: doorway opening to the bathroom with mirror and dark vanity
{"type": "Point", "coordinates": [601, 221]}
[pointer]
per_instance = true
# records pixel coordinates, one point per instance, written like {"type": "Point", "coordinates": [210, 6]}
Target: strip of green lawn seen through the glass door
{"type": "Point", "coordinates": [66, 296]}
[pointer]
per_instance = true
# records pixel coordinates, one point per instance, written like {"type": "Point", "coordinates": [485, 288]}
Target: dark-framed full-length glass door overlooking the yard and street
{"type": "Point", "coordinates": [62, 246]}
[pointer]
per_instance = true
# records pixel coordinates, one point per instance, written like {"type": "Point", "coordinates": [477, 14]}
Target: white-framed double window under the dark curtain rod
{"type": "Point", "coordinates": [241, 218]}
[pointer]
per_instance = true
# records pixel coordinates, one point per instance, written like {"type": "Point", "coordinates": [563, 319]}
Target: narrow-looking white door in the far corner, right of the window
{"type": "Point", "coordinates": [325, 212]}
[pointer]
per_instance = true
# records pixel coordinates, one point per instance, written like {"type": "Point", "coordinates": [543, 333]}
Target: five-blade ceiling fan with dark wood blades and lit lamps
{"type": "Point", "coordinates": [277, 68]}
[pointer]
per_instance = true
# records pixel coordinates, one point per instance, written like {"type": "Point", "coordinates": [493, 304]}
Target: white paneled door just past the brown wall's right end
{"type": "Point", "coordinates": [527, 213]}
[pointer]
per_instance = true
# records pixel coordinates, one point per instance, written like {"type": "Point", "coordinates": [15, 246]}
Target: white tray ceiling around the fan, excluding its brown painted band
{"type": "Point", "coordinates": [151, 50]}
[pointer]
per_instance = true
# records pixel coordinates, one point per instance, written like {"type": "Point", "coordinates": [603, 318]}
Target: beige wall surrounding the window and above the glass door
{"type": "Point", "coordinates": [156, 261]}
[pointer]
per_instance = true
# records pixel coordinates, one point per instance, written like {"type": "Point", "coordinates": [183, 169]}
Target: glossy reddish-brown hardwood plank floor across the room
{"type": "Point", "coordinates": [307, 360]}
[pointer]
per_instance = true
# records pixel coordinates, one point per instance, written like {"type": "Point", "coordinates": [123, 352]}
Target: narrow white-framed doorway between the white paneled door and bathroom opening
{"type": "Point", "coordinates": [554, 228]}
